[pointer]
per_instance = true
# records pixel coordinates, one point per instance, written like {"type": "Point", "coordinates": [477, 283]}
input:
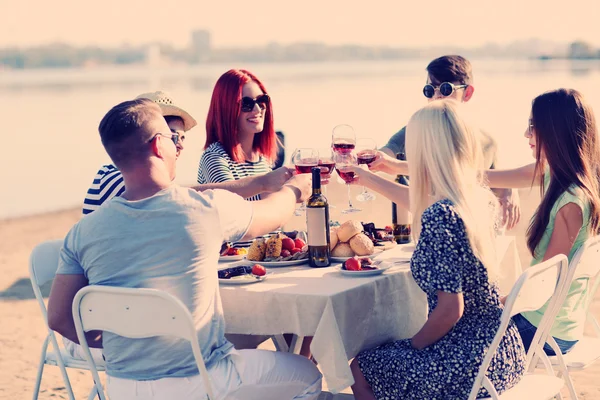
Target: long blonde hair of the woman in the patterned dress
{"type": "Point", "coordinates": [446, 162]}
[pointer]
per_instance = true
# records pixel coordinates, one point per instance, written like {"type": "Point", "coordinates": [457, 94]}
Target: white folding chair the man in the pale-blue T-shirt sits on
{"type": "Point", "coordinates": [134, 313]}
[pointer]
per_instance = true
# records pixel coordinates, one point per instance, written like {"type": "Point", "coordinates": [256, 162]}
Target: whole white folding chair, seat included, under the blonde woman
{"type": "Point", "coordinates": [533, 288]}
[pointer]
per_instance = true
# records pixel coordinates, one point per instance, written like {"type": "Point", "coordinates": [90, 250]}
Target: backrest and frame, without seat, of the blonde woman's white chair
{"type": "Point", "coordinates": [535, 286]}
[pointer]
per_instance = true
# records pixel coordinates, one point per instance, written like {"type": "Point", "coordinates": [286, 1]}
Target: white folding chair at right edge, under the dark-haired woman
{"type": "Point", "coordinates": [585, 264]}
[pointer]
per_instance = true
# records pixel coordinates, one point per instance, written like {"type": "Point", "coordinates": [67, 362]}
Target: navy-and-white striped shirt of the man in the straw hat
{"type": "Point", "coordinates": [107, 184]}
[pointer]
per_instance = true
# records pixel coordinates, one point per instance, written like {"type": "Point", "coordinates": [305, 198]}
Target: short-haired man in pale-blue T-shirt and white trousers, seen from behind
{"type": "Point", "coordinates": [163, 236]}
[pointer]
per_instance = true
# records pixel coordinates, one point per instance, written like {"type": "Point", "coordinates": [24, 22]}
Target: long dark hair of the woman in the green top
{"type": "Point", "coordinates": [567, 140]}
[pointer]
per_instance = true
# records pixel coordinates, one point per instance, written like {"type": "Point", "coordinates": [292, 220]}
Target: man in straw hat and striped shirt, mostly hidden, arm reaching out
{"type": "Point", "coordinates": [108, 182]}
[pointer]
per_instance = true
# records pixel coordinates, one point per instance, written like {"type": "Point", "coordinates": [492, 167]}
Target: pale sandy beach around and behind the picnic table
{"type": "Point", "coordinates": [23, 331]}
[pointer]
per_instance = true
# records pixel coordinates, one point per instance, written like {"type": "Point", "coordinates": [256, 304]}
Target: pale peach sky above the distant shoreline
{"type": "Point", "coordinates": [237, 23]}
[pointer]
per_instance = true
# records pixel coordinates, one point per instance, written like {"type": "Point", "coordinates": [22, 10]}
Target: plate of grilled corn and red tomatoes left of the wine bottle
{"type": "Point", "coordinates": [279, 250]}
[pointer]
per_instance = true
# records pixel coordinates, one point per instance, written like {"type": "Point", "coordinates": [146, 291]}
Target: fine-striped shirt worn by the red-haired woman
{"type": "Point", "coordinates": [216, 166]}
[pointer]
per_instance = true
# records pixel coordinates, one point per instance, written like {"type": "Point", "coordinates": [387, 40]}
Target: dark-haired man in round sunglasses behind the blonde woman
{"type": "Point", "coordinates": [451, 77]}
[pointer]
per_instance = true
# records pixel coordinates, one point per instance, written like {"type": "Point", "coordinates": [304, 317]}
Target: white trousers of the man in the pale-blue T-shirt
{"type": "Point", "coordinates": [244, 375]}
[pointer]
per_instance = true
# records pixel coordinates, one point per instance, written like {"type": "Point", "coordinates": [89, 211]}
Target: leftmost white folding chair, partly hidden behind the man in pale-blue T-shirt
{"type": "Point", "coordinates": [43, 264]}
